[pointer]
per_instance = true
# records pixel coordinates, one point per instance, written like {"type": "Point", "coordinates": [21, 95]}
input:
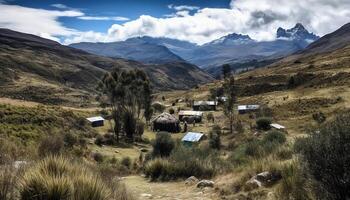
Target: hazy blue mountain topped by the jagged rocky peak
{"type": "Point", "coordinates": [237, 48]}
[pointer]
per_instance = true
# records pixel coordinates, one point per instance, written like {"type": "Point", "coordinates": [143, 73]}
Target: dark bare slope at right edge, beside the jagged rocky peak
{"type": "Point", "coordinates": [336, 40]}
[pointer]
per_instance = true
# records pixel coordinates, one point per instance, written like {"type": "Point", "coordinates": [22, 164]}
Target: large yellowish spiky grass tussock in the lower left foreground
{"type": "Point", "coordinates": [57, 178]}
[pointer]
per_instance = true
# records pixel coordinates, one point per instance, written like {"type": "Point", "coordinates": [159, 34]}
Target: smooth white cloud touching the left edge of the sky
{"type": "Point", "coordinates": [37, 21]}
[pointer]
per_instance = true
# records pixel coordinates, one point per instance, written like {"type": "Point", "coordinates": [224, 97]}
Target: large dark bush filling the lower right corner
{"type": "Point", "coordinates": [327, 158]}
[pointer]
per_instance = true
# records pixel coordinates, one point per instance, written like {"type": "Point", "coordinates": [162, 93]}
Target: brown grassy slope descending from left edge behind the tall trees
{"type": "Point", "coordinates": [42, 70]}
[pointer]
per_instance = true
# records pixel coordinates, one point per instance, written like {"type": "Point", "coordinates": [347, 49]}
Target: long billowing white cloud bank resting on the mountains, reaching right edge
{"type": "Point", "coordinates": [259, 19]}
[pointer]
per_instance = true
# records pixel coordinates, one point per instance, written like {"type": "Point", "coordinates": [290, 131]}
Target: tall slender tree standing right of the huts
{"type": "Point", "coordinates": [230, 91]}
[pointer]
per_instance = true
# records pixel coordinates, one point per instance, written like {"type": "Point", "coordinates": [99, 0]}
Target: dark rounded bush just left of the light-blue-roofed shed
{"type": "Point", "coordinates": [163, 144]}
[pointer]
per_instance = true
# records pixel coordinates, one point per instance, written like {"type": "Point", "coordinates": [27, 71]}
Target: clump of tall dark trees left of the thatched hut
{"type": "Point", "coordinates": [128, 92]}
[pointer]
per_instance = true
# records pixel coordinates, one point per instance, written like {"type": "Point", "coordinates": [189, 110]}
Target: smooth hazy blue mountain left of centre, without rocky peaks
{"type": "Point", "coordinates": [138, 49]}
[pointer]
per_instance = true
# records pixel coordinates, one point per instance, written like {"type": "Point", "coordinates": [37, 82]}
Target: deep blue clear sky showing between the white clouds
{"type": "Point", "coordinates": [131, 9]}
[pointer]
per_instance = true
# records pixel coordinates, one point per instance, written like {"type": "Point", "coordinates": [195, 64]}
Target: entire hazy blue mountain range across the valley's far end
{"type": "Point", "coordinates": [230, 49]}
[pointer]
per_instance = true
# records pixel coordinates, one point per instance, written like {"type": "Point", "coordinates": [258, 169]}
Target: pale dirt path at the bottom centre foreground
{"type": "Point", "coordinates": [143, 189]}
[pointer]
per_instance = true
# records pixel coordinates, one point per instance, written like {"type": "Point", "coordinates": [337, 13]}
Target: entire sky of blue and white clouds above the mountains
{"type": "Point", "coordinates": [198, 21]}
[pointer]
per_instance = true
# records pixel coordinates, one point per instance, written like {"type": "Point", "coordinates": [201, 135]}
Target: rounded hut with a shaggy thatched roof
{"type": "Point", "coordinates": [166, 122]}
